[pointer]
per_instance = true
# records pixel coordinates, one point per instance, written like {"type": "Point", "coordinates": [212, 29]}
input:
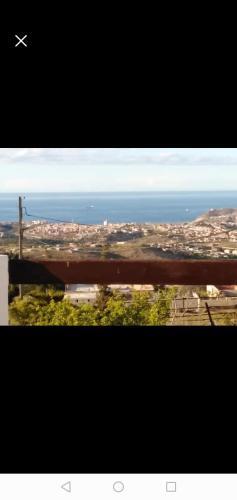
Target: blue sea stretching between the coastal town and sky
{"type": "Point", "coordinates": [94, 208]}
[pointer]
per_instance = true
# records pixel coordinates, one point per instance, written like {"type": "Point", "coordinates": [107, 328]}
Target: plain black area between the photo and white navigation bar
{"type": "Point", "coordinates": [176, 400]}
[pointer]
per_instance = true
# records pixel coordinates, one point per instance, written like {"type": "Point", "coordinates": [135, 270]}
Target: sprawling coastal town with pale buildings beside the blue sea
{"type": "Point", "coordinates": [212, 235]}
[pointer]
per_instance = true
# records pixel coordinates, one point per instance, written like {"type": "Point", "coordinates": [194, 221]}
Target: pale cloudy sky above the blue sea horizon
{"type": "Point", "coordinates": [109, 169]}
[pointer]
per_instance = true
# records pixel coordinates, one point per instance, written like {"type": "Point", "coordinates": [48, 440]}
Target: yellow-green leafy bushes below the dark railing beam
{"type": "Point", "coordinates": [49, 309]}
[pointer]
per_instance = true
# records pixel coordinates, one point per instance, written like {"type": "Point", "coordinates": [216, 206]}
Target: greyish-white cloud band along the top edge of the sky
{"type": "Point", "coordinates": [118, 156]}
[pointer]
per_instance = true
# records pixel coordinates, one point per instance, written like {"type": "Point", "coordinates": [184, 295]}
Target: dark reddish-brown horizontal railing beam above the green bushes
{"type": "Point", "coordinates": [167, 272]}
